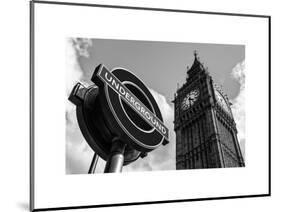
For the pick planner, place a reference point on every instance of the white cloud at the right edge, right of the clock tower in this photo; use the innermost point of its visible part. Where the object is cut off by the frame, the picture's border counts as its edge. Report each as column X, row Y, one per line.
column 238, row 107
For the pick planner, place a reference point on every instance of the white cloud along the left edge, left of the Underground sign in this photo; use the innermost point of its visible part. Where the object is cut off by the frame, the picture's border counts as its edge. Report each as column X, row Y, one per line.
column 78, row 153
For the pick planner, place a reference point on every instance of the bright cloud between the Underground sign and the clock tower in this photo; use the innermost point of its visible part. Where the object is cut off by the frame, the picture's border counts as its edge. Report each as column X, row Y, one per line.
column 163, row 158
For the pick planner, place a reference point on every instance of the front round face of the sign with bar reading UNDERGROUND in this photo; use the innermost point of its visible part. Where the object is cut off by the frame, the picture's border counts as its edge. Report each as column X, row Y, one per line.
column 130, row 109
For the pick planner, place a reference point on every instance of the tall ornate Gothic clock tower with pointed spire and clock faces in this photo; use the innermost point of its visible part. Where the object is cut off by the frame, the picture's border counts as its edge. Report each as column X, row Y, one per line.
column 206, row 134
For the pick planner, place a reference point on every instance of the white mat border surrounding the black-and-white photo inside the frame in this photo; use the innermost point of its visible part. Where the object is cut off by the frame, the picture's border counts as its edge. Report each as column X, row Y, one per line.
column 55, row 189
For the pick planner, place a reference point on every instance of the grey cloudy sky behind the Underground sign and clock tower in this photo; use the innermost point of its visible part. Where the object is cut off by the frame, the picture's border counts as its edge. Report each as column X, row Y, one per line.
column 162, row 67
